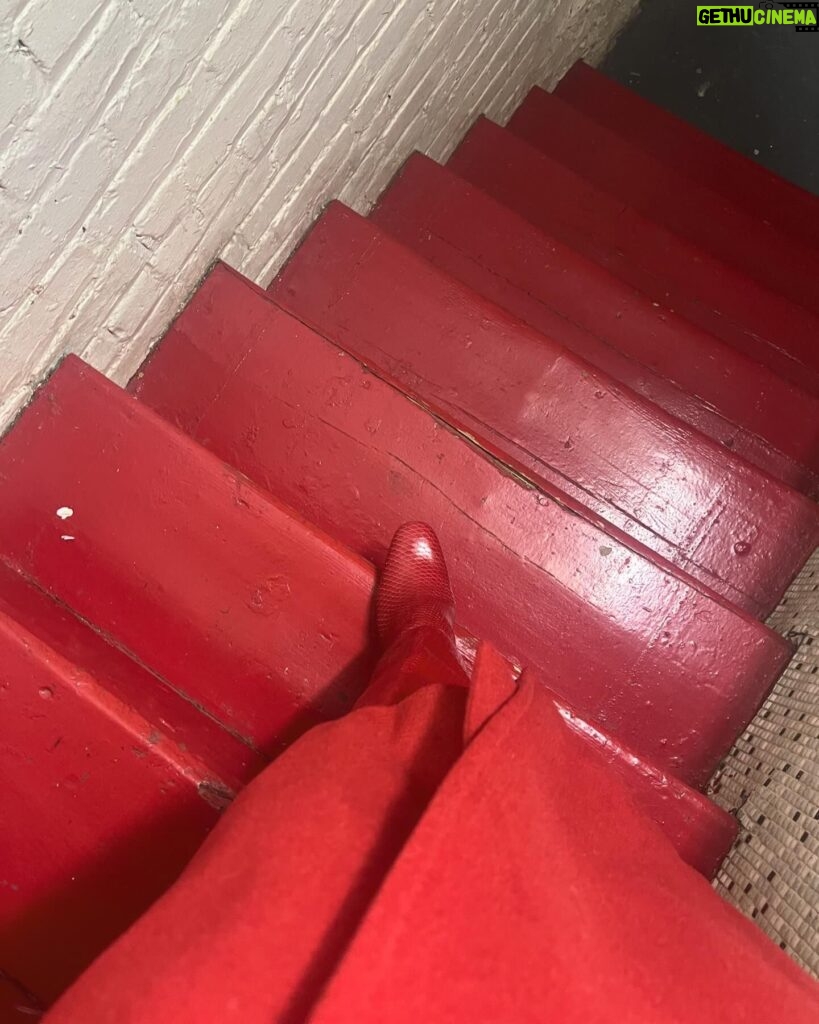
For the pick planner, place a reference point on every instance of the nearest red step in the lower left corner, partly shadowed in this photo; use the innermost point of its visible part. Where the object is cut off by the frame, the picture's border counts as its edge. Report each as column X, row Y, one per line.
column 111, row 782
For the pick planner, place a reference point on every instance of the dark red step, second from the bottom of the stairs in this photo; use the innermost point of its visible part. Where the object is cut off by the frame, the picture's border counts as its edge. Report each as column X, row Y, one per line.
column 665, row 194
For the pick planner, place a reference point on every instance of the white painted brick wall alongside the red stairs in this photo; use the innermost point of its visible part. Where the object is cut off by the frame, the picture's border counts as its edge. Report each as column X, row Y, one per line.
column 140, row 140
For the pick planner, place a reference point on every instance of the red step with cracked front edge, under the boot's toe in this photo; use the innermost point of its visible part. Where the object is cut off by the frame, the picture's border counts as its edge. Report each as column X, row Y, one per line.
column 655, row 660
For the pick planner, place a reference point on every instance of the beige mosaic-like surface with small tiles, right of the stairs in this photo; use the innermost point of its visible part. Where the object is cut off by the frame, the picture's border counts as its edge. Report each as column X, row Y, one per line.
column 771, row 782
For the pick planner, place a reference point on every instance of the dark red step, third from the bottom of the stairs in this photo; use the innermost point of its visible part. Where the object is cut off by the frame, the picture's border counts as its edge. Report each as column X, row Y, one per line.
column 670, row 270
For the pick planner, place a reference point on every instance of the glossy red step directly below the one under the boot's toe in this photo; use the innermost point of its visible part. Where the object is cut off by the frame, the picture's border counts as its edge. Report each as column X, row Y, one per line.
column 677, row 492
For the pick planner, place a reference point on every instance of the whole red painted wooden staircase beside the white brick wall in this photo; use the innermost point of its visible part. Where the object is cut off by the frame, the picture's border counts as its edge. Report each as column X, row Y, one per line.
column 558, row 353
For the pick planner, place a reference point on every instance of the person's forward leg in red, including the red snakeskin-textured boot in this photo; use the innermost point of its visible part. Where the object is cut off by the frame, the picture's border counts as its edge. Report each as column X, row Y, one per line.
column 262, row 918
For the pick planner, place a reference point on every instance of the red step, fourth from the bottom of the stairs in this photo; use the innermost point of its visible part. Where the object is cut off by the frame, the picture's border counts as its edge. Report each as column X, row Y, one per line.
column 654, row 351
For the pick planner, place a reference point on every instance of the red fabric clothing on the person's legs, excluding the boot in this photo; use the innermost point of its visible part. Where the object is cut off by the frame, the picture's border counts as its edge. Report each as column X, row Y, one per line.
column 443, row 855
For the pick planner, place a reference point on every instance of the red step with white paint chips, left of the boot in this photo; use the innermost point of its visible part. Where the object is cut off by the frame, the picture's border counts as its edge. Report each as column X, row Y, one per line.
column 235, row 601
